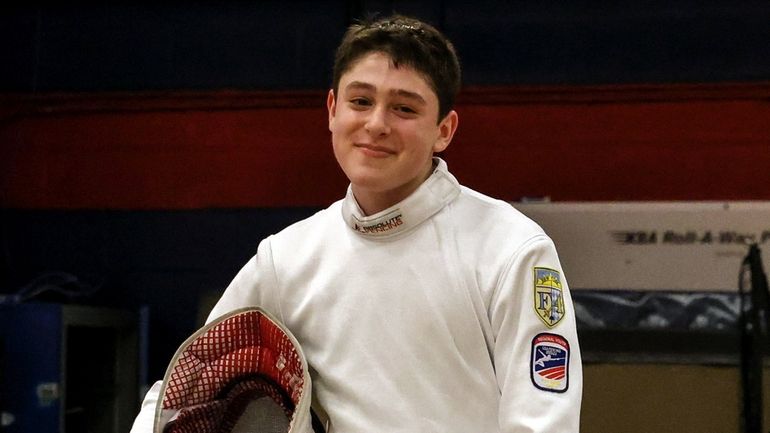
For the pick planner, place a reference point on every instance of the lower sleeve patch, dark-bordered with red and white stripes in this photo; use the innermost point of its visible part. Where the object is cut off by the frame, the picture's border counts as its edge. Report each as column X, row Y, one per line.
column 550, row 362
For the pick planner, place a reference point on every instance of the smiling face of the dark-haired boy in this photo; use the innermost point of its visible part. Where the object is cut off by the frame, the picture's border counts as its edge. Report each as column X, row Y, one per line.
column 385, row 129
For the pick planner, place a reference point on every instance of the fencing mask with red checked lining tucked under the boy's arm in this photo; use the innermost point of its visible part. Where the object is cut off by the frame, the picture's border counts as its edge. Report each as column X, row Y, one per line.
column 241, row 373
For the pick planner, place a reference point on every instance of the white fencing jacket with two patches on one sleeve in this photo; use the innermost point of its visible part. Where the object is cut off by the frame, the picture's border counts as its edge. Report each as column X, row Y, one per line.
column 447, row 313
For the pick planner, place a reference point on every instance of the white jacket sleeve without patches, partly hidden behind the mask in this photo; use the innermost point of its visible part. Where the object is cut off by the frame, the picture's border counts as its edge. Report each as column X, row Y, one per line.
column 246, row 289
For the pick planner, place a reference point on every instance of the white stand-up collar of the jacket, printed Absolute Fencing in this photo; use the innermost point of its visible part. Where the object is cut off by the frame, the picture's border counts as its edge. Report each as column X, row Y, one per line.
column 438, row 190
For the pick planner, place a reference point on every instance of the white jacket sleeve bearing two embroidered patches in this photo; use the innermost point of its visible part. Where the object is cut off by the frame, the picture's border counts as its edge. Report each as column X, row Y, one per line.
column 536, row 352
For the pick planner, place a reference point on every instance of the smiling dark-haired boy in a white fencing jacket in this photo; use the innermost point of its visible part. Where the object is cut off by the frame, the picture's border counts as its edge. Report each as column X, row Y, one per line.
column 420, row 305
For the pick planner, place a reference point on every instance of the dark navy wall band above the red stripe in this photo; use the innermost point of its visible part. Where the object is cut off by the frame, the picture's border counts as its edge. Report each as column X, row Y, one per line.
column 80, row 46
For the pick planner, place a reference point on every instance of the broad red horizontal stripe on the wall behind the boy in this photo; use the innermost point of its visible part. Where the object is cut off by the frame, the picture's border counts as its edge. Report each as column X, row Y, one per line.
column 272, row 149
